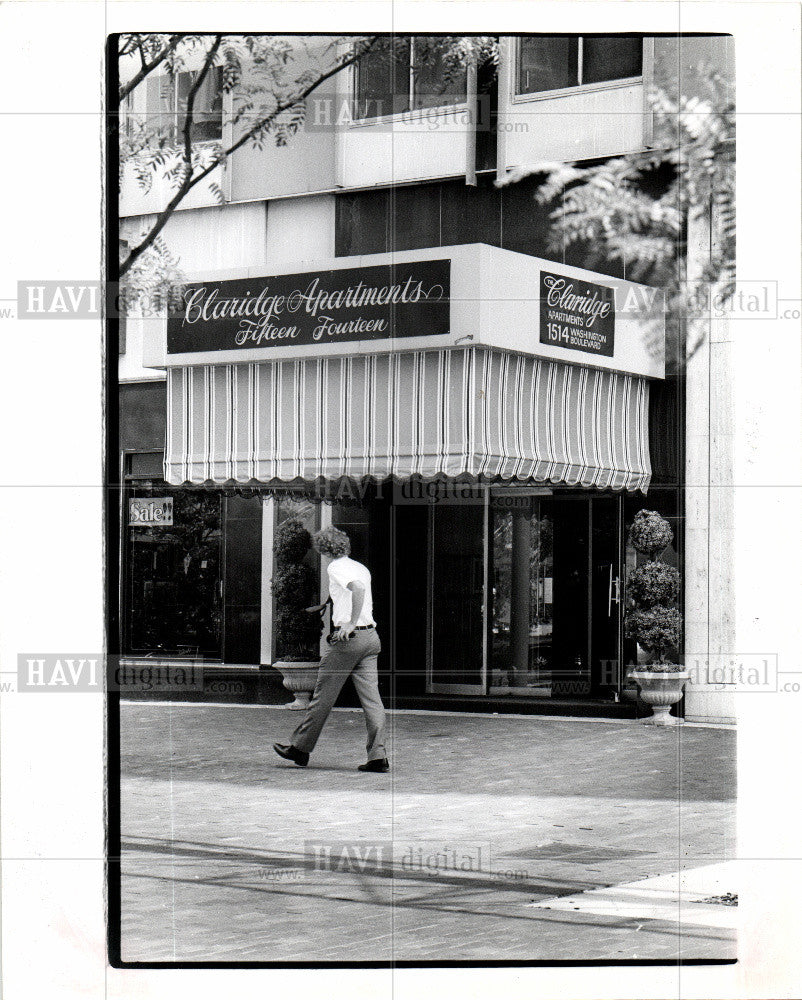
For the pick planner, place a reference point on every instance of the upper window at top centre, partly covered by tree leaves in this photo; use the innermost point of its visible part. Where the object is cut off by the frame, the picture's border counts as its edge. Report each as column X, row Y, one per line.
column 411, row 76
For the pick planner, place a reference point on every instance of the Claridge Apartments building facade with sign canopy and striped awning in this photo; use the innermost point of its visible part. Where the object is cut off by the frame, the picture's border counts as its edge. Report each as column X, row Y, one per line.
column 377, row 334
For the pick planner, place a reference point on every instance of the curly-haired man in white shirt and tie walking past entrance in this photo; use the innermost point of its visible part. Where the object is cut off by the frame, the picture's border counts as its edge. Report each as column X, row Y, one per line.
column 354, row 648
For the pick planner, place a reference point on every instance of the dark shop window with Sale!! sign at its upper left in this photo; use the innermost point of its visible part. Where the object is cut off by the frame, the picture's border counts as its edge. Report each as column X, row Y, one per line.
column 174, row 605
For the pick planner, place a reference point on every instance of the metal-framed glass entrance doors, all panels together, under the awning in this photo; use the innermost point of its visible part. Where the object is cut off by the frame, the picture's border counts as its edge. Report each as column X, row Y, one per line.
column 525, row 595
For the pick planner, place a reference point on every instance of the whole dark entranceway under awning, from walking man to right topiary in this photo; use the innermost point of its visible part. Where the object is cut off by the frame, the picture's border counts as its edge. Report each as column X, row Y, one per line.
column 516, row 591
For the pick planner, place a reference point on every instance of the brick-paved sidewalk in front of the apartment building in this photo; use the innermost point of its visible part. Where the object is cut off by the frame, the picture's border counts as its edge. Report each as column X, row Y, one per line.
column 231, row 854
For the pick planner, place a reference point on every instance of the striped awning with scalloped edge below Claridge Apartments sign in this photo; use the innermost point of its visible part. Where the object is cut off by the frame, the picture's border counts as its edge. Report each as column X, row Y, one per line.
column 471, row 412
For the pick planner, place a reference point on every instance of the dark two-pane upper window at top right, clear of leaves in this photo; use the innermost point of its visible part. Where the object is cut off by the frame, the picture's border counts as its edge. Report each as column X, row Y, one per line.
column 556, row 62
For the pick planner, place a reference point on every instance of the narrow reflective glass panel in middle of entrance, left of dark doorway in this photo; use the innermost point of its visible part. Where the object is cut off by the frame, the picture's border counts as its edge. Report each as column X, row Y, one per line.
column 521, row 594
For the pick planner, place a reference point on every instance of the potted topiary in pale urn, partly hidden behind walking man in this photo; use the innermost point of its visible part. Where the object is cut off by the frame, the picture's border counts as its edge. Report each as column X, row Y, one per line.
column 297, row 632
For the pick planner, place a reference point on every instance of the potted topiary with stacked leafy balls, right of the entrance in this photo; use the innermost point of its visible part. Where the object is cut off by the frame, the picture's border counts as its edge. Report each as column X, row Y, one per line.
column 653, row 619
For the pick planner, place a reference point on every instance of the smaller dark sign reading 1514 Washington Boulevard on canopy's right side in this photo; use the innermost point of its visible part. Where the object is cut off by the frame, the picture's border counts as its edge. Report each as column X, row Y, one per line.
column 576, row 314
